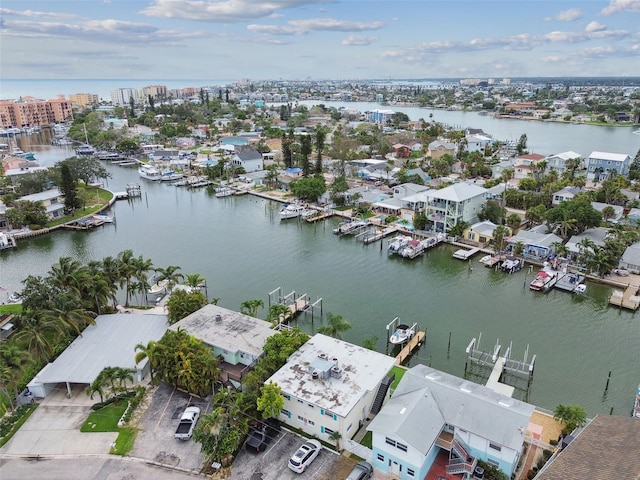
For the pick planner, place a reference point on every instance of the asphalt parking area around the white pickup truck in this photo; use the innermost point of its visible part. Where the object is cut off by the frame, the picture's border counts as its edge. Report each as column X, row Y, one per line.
column 155, row 439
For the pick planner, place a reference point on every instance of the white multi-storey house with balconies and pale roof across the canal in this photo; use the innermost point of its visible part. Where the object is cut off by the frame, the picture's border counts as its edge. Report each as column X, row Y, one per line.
column 460, row 202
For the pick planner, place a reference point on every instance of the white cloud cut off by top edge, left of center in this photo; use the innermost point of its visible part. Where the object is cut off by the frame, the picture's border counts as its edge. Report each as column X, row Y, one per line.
column 222, row 11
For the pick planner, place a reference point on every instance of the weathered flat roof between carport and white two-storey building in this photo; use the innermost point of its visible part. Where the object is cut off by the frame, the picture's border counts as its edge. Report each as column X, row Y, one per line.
column 235, row 332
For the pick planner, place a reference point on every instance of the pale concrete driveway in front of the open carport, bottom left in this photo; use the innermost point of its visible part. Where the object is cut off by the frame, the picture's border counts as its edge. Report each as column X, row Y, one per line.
column 54, row 428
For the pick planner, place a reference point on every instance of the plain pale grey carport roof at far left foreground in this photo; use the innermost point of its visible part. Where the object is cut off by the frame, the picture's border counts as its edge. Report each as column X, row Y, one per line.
column 109, row 343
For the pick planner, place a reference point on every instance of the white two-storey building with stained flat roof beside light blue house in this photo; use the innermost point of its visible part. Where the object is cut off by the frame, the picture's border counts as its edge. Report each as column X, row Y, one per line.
column 330, row 386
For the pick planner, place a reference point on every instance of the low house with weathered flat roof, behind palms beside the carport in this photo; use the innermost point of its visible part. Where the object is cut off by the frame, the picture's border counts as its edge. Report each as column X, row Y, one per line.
column 235, row 338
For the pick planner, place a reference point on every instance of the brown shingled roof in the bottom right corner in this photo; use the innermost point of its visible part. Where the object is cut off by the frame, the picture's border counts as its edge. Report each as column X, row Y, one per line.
column 603, row 450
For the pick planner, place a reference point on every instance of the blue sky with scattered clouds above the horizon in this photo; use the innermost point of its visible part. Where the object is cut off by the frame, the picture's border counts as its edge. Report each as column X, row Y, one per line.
column 317, row 39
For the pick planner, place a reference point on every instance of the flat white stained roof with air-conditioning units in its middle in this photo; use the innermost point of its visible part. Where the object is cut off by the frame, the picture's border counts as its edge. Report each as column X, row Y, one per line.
column 362, row 372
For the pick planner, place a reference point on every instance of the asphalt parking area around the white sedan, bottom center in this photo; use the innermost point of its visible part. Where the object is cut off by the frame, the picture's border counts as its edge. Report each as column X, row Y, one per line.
column 272, row 463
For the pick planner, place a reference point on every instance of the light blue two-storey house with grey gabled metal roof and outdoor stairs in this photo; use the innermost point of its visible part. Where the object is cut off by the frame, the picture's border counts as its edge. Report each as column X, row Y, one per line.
column 432, row 414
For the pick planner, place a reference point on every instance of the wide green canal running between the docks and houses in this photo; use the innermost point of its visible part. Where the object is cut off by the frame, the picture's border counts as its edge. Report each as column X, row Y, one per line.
column 245, row 251
